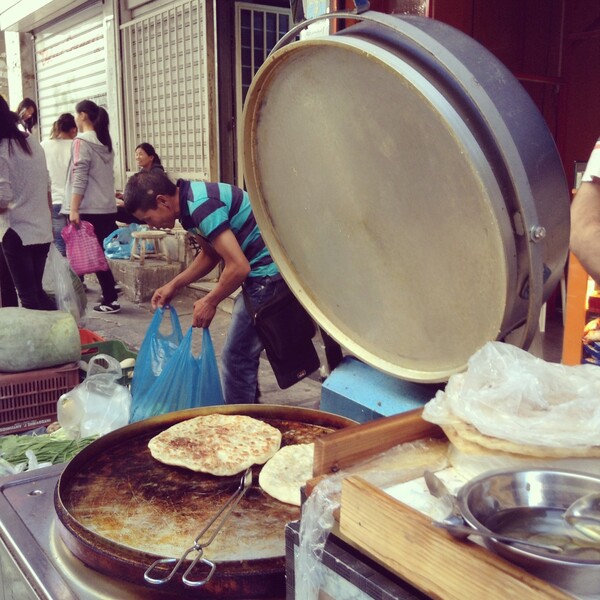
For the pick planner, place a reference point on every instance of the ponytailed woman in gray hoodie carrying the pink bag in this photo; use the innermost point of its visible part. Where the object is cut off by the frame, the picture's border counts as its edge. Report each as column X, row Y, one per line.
column 90, row 188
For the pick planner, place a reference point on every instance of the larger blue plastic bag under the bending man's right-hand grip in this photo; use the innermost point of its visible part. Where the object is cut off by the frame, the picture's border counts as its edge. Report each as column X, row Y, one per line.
column 186, row 381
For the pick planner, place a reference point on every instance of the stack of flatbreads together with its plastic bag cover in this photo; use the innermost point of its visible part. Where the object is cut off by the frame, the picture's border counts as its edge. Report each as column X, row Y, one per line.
column 510, row 408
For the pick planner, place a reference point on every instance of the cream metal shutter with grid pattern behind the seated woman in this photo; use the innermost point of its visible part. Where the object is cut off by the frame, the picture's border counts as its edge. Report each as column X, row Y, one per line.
column 169, row 96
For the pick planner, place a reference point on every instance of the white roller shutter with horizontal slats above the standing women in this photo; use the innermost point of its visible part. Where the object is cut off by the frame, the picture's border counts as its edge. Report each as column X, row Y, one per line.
column 70, row 64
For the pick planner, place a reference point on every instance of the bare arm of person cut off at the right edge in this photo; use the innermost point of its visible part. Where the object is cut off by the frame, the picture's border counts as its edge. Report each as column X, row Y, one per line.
column 585, row 227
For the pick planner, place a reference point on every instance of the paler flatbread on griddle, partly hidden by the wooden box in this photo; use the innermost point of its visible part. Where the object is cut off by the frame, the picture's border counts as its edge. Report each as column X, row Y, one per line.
column 287, row 471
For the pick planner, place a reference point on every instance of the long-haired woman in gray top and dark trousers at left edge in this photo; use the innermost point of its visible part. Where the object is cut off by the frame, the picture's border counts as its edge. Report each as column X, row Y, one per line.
column 25, row 224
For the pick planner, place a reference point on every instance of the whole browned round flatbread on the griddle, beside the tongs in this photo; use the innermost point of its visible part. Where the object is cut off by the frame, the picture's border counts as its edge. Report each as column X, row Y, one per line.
column 216, row 444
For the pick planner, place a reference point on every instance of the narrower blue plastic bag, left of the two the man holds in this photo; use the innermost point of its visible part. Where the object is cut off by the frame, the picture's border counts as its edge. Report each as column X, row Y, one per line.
column 156, row 350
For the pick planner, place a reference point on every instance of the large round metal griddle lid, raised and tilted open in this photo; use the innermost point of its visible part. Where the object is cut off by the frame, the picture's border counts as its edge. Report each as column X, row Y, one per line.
column 408, row 189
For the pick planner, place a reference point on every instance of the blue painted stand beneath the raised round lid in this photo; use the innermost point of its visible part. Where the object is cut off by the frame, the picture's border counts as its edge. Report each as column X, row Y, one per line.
column 360, row 392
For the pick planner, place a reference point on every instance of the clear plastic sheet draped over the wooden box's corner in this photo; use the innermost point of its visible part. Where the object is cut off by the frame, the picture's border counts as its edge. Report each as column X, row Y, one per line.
column 399, row 464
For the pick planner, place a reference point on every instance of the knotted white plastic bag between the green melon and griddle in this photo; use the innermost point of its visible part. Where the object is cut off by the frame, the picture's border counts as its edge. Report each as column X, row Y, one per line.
column 99, row 404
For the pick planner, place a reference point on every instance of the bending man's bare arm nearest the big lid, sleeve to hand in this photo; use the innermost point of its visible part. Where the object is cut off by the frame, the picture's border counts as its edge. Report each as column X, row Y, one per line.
column 235, row 271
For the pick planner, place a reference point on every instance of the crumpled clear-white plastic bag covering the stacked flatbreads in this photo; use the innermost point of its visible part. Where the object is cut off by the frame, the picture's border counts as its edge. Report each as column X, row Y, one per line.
column 510, row 394
